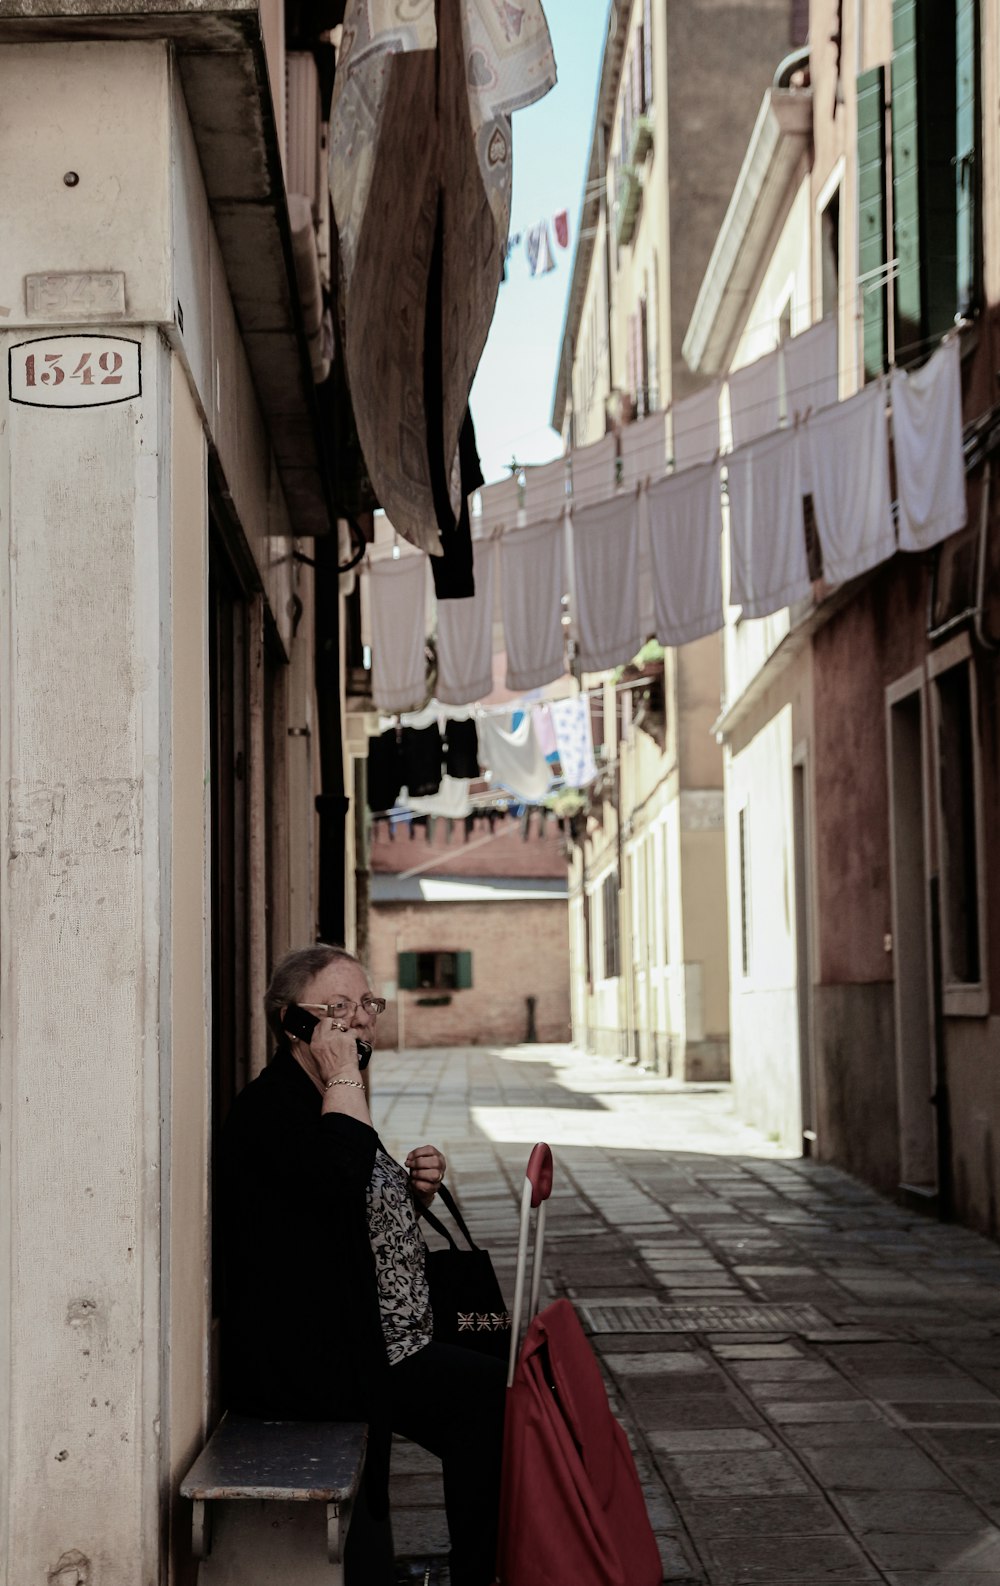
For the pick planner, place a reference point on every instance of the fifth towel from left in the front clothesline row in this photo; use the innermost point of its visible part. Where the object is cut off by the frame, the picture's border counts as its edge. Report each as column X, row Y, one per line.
column 685, row 543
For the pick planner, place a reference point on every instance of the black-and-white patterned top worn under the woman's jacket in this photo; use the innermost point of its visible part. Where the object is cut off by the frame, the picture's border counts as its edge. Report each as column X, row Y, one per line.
column 405, row 1298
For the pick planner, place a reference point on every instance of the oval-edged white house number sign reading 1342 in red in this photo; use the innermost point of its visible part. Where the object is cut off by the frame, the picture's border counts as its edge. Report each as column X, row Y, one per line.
column 75, row 372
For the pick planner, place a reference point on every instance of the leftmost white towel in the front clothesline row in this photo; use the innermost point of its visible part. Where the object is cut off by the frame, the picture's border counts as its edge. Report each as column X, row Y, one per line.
column 399, row 613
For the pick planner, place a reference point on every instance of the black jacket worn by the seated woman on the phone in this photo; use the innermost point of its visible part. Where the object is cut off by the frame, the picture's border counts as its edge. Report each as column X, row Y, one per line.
column 302, row 1336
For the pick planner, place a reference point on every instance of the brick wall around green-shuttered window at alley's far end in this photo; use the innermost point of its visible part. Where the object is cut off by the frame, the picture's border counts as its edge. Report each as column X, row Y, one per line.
column 519, row 951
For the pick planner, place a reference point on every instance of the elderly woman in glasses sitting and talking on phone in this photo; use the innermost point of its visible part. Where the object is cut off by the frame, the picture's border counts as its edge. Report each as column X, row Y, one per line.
column 326, row 1303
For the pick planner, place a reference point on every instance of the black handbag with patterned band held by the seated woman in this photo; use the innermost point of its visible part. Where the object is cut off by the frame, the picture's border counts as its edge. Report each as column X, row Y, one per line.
column 467, row 1298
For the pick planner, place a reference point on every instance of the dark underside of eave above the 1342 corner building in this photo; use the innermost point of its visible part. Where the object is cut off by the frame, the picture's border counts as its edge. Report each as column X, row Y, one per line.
column 223, row 69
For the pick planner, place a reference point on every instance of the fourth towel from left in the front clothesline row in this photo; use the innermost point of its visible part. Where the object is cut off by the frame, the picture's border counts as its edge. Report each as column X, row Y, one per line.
column 606, row 583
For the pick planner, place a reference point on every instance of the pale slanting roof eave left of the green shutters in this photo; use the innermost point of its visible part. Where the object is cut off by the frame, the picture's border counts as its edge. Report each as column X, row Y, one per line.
column 781, row 137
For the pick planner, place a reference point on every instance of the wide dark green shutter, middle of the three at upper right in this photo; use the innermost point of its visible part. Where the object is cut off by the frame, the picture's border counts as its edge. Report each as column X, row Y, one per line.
column 923, row 172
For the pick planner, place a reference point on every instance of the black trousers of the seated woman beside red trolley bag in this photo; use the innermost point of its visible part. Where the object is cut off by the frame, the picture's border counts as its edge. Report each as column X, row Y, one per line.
column 451, row 1403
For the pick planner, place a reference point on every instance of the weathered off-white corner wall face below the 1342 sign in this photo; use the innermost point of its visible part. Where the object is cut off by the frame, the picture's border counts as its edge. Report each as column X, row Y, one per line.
column 83, row 624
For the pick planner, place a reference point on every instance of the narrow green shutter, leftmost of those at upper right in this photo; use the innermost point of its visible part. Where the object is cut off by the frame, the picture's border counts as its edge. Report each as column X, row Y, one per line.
column 872, row 255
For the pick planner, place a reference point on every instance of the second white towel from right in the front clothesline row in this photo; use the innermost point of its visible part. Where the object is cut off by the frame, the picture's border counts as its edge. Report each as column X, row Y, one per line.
column 849, row 461
